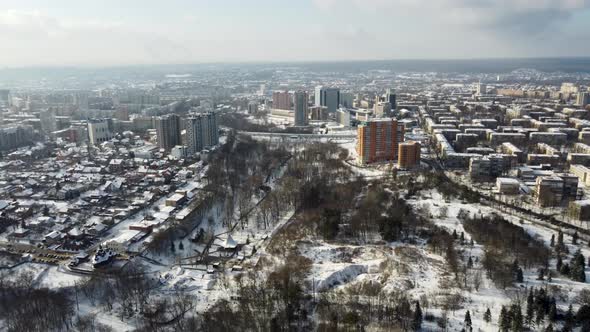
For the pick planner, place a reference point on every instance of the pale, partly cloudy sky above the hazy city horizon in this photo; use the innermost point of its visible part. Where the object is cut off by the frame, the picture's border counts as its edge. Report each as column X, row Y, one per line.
column 134, row 32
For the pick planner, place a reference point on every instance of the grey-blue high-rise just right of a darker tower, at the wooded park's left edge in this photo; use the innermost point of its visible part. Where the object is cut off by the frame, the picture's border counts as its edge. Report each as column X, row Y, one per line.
column 202, row 132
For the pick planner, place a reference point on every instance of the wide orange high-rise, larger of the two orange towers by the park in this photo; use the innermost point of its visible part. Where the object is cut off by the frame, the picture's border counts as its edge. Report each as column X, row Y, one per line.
column 378, row 140
